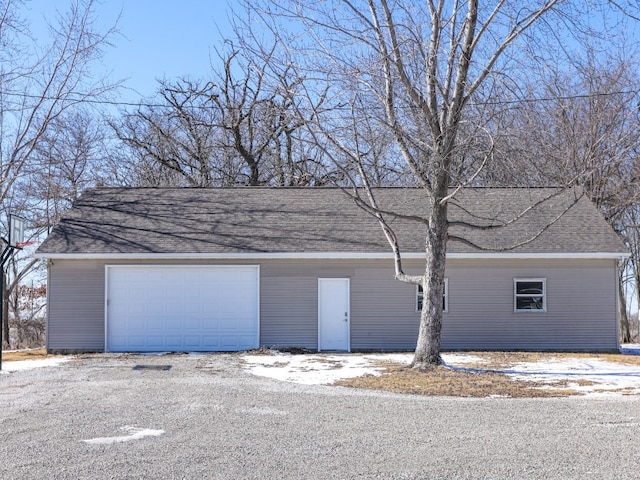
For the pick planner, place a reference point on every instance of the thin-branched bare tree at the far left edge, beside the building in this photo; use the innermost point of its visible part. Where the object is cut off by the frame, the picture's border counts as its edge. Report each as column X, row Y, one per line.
column 39, row 82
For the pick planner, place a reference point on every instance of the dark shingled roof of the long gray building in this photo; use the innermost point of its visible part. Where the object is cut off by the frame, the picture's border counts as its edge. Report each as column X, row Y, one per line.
column 320, row 220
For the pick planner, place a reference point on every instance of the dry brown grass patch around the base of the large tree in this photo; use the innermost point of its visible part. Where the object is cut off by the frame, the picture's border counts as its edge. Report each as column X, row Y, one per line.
column 485, row 381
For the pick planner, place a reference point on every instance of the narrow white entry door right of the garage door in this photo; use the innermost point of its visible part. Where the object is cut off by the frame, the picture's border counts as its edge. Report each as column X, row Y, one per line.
column 333, row 314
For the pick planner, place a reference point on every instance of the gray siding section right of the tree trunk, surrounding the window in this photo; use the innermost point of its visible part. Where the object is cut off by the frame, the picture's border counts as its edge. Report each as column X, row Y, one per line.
column 581, row 308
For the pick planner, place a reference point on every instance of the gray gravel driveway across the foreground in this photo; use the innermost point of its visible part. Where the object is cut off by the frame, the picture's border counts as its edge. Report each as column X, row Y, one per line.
column 97, row 417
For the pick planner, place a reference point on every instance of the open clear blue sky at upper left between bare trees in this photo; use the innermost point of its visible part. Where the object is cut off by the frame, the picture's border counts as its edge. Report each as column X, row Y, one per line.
column 157, row 38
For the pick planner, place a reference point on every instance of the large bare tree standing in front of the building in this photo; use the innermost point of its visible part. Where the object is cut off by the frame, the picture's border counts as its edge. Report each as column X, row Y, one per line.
column 424, row 69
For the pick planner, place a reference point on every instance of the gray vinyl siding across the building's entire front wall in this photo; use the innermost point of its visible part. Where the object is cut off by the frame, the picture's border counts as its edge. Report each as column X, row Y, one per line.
column 581, row 304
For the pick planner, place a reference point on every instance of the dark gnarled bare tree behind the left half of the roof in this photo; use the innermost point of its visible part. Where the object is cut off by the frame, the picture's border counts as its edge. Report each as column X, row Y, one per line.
column 236, row 129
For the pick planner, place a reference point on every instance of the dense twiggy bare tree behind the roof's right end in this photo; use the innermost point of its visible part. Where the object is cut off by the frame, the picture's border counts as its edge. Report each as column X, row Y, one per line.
column 587, row 129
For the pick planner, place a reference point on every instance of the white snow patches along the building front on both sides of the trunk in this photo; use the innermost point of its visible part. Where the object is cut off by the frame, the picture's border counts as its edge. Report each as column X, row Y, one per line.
column 589, row 376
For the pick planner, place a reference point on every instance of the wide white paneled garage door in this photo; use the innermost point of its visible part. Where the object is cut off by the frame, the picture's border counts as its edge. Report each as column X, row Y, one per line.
column 182, row 308
